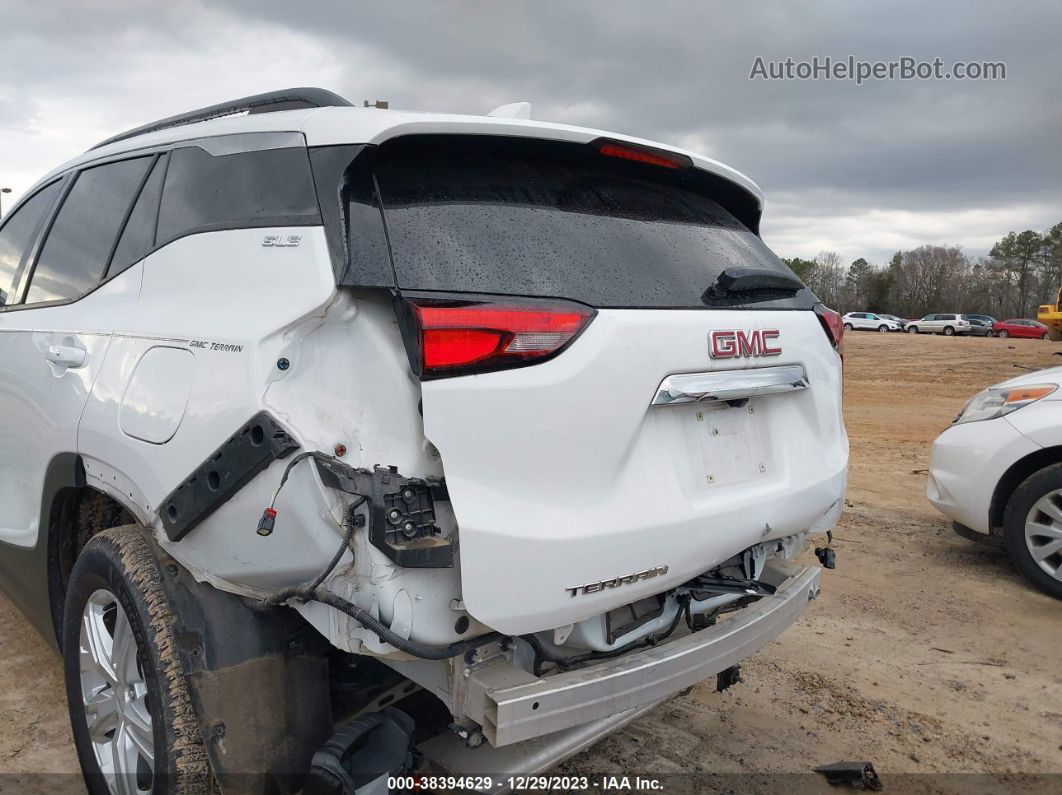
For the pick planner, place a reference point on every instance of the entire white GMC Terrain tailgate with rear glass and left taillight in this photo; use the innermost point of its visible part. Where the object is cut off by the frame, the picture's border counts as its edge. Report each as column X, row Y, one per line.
column 562, row 301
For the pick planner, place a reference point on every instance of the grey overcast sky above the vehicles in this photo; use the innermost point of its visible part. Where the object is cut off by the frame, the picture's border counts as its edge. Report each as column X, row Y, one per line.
column 863, row 170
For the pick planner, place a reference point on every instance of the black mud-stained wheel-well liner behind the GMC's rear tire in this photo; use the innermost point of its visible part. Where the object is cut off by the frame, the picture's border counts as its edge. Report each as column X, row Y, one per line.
column 259, row 682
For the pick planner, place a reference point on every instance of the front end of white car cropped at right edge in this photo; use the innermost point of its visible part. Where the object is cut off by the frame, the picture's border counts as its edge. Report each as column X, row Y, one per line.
column 998, row 472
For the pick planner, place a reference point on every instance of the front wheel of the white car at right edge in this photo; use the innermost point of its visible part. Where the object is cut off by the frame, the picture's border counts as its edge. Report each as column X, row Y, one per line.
column 1033, row 530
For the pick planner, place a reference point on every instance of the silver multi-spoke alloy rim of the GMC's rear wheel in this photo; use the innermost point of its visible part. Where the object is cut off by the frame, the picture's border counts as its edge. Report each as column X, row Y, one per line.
column 115, row 697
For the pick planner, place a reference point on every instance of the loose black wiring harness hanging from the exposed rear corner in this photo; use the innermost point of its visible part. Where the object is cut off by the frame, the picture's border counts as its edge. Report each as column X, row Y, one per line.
column 311, row 592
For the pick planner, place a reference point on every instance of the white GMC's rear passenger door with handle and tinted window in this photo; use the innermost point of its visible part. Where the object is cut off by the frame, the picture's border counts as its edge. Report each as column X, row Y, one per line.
column 55, row 339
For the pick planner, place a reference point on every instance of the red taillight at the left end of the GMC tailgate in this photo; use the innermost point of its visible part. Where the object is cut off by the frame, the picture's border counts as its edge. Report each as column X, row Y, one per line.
column 459, row 338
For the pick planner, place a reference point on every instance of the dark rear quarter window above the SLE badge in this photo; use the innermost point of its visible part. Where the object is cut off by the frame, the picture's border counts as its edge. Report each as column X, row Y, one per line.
column 265, row 188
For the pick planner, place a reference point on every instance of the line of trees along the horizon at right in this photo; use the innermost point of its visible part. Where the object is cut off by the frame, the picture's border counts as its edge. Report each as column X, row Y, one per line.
column 1021, row 272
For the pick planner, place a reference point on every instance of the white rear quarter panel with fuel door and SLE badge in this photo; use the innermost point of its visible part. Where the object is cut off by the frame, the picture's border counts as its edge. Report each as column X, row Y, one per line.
column 232, row 306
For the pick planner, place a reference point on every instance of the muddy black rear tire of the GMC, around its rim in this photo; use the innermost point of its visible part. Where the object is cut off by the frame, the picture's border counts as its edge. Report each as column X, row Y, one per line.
column 121, row 563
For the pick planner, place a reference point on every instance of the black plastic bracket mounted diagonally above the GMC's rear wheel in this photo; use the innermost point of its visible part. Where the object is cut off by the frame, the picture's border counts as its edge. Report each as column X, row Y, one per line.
column 249, row 452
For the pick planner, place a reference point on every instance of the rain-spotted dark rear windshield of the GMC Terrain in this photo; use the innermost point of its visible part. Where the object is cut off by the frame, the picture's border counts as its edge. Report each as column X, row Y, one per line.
column 559, row 220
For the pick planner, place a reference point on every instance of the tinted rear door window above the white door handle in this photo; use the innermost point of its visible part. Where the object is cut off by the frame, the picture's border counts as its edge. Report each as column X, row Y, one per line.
column 79, row 245
